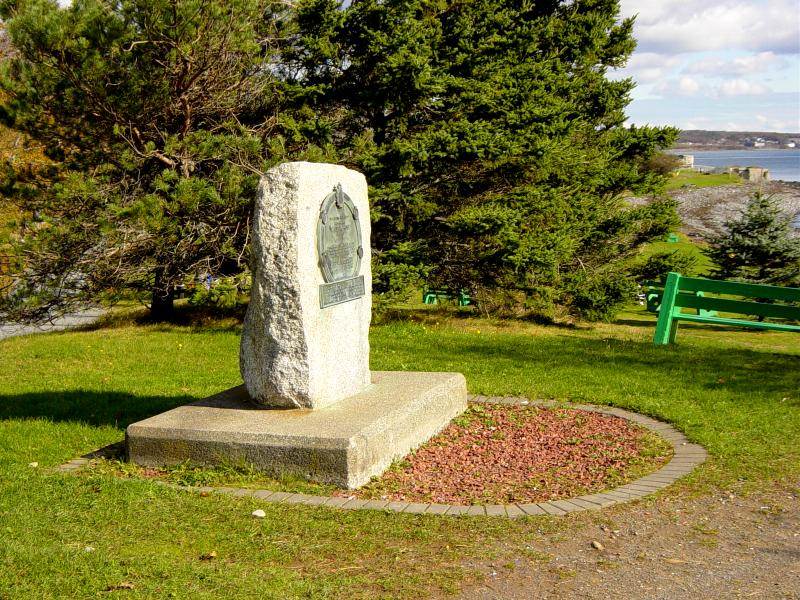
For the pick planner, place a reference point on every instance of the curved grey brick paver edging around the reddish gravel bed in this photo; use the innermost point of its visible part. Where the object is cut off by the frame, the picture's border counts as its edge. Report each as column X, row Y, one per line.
column 685, row 458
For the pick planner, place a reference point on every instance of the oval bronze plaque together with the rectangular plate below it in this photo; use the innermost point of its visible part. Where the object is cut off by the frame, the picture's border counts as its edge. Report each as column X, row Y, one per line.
column 339, row 249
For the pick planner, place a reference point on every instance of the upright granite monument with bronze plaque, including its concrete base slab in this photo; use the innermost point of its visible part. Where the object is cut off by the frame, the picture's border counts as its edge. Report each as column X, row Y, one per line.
column 309, row 405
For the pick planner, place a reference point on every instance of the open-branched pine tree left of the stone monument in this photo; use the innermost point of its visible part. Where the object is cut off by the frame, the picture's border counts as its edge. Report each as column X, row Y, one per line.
column 154, row 110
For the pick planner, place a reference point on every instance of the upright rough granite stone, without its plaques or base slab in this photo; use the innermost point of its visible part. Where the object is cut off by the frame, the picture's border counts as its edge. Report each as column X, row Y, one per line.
column 294, row 353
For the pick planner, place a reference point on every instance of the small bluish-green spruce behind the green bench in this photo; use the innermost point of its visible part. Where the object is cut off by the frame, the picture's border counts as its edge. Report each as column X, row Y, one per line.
column 758, row 247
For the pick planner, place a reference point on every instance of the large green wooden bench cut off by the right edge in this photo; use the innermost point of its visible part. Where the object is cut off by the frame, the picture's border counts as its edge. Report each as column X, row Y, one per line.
column 682, row 292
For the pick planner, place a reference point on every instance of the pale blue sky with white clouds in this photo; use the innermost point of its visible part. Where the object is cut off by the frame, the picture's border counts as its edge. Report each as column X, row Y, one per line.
column 721, row 64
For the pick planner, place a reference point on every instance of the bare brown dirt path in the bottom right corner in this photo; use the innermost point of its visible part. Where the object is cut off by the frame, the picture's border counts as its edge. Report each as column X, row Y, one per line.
column 713, row 547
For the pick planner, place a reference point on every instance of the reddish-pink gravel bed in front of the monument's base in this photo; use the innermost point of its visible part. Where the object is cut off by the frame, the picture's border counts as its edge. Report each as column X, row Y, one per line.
column 507, row 454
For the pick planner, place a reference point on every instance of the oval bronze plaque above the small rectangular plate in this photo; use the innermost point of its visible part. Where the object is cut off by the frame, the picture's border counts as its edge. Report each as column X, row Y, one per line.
column 339, row 237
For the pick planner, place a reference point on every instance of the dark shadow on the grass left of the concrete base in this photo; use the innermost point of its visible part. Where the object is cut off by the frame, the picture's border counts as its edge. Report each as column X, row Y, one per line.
column 117, row 409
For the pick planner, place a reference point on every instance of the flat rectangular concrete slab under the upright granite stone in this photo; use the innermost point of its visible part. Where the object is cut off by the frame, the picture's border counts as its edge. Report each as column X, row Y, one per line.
column 344, row 444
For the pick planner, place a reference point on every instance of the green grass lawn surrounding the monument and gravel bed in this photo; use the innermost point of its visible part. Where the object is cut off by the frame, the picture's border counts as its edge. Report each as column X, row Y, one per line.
column 65, row 394
